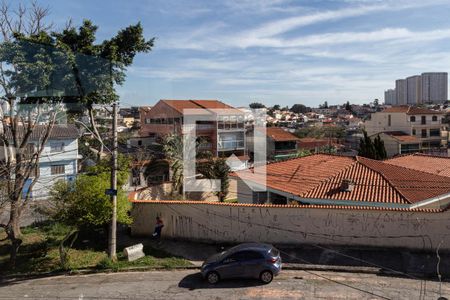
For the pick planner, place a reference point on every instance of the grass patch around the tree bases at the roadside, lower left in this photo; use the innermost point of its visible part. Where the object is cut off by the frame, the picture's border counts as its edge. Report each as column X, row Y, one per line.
column 39, row 252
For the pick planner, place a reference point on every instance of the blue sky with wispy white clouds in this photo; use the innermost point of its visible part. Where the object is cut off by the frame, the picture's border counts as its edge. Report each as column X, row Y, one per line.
column 276, row 52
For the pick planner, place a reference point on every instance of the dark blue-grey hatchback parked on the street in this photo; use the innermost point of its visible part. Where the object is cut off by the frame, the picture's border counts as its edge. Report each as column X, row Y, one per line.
column 249, row 260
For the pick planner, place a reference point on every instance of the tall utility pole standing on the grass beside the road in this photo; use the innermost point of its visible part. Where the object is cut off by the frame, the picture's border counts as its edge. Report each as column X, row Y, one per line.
column 113, row 225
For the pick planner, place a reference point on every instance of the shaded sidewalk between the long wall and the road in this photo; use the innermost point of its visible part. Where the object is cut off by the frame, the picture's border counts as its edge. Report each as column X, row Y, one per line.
column 393, row 262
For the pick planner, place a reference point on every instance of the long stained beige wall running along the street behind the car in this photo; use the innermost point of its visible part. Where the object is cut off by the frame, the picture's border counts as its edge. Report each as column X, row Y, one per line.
column 294, row 225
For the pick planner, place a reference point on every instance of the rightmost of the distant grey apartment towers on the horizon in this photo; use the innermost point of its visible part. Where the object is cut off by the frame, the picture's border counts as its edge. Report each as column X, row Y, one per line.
column 434, row 87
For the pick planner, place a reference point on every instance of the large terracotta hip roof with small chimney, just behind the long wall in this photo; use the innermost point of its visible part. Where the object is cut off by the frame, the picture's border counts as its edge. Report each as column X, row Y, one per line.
column 320, row 176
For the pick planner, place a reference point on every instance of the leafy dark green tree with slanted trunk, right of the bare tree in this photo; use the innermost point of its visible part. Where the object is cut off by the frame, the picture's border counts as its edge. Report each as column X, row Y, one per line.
column 96, row 67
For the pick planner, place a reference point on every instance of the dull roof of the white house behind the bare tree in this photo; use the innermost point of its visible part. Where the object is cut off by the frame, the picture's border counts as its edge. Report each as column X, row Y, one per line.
column 67, row 131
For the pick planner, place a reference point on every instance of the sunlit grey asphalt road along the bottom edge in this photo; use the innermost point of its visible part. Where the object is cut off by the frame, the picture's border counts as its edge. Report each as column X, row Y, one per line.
column 187, row 284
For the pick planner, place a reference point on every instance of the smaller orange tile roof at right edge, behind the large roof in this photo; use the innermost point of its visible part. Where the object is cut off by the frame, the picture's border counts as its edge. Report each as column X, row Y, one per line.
column 426, row 163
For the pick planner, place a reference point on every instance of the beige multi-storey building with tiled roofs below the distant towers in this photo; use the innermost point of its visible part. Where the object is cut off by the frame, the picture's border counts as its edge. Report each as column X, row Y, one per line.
column 406, row 129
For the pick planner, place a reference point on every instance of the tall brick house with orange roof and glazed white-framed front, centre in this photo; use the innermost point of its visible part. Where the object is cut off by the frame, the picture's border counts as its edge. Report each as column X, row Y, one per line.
column 223, row 134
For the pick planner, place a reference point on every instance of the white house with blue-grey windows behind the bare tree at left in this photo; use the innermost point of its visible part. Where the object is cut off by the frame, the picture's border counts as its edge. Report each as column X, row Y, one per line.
column 58, row 161
